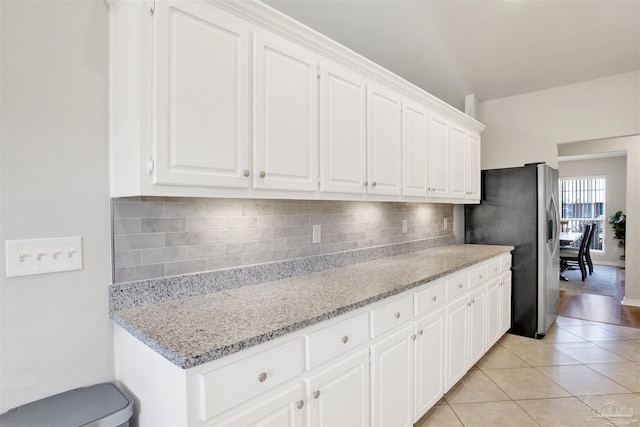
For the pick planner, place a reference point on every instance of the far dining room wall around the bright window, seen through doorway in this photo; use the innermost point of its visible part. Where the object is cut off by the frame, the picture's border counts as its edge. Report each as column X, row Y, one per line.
column 614, row 169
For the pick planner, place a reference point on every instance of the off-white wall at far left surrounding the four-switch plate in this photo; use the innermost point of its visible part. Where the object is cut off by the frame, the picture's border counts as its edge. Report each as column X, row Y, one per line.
column 55, row 333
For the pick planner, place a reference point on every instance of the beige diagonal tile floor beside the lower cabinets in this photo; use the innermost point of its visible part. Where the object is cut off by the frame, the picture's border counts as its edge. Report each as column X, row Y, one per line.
column 557, row 381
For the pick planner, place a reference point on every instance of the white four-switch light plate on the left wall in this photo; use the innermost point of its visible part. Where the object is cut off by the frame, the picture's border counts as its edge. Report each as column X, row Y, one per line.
column 39, row 256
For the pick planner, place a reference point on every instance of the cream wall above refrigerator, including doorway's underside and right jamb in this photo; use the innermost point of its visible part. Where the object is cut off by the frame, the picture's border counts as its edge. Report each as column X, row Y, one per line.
column 528, row 128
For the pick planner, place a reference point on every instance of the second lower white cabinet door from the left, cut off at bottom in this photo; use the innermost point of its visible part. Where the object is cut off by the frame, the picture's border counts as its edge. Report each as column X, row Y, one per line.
column 340, row 394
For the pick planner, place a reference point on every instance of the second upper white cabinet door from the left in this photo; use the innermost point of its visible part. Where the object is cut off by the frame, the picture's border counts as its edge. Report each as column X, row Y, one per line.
column 285, row 94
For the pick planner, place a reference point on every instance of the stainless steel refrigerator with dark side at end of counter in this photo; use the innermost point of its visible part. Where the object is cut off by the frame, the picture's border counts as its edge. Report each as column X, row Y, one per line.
column 519, row 207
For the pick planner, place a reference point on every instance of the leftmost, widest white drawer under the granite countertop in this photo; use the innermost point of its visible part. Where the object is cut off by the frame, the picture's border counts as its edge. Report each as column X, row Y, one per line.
column 223, row 388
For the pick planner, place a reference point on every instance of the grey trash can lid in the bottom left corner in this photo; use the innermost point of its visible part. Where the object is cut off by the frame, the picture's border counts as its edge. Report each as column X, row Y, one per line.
column 100, row 405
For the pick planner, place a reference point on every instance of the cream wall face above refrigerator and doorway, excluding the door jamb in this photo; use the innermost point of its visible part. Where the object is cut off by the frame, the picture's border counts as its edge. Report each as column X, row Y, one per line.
column 526, row 128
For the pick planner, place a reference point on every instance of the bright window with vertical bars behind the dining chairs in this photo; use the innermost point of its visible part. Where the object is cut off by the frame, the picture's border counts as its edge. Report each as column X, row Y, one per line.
column 583, row 203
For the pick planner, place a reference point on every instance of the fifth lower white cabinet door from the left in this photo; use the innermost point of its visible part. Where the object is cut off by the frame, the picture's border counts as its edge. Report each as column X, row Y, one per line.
column 456, row 341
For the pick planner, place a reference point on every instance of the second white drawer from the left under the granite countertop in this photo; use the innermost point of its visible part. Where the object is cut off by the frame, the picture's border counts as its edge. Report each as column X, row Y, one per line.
column 337, row 339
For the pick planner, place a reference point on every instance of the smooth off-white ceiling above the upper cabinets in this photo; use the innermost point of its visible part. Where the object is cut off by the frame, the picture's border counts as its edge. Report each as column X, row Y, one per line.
column 490, row 48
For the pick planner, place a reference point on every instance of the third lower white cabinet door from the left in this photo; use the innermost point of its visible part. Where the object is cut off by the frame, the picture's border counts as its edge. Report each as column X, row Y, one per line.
column 391, row 379
